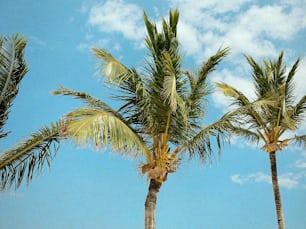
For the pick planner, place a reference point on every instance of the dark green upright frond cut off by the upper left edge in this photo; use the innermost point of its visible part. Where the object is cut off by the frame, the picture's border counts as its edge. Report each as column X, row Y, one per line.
column 12, row 70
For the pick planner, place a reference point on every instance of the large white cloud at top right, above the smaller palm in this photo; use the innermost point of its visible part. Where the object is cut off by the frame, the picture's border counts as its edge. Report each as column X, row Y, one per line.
column 243, row 25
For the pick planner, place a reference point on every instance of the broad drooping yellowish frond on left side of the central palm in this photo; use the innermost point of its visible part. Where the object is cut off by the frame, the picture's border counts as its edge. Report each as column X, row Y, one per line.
column 96, row 127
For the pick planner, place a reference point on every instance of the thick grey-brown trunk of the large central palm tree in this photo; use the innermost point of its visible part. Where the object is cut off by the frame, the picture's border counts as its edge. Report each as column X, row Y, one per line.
column 150, row 204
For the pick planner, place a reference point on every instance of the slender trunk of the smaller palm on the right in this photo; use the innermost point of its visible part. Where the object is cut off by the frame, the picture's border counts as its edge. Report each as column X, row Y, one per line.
column 277, row 197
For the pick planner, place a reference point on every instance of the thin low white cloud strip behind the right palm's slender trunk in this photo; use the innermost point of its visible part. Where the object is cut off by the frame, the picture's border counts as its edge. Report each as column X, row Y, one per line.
column 287, row 180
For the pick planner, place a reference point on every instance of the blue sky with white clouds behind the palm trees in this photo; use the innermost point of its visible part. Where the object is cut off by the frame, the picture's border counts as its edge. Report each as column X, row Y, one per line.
column 89, row 189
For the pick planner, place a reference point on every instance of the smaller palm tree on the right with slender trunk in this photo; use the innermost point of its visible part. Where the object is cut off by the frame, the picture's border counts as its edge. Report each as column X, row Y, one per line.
column 271, row 115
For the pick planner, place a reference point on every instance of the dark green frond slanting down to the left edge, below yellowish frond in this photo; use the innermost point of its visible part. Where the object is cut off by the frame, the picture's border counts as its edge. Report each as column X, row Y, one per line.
column 29, row 156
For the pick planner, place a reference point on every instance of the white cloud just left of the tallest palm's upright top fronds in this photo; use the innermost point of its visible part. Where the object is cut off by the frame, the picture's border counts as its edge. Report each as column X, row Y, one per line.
column 117, row 16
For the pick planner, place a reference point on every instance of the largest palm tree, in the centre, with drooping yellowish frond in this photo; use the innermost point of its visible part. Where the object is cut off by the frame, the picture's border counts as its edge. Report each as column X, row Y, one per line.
column 159, row 116
